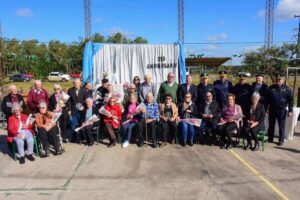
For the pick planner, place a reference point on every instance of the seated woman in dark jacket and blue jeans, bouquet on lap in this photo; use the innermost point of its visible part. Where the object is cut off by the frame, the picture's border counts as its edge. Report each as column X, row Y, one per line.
column 187, row 109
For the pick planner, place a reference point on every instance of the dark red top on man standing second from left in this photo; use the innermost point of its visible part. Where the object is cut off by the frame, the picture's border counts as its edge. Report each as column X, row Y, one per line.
column 34, row 97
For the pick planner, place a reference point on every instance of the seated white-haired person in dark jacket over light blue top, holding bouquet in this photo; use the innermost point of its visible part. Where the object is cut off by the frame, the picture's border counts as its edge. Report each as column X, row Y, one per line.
column 88, row 112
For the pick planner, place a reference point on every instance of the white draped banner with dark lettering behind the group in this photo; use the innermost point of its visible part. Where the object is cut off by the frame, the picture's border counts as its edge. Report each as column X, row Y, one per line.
column 123, row 62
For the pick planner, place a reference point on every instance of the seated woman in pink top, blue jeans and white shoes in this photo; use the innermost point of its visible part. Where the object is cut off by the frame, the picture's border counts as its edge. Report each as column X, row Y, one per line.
column 131, row 119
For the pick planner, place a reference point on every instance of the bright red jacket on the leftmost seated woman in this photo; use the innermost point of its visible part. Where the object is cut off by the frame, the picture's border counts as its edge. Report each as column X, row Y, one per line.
column 13, row 126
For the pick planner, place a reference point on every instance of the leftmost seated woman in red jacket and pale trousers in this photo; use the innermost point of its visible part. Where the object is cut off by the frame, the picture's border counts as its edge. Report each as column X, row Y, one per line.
column 18, row 131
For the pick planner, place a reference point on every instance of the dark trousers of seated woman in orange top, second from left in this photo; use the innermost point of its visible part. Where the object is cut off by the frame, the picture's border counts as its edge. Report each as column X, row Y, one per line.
column 51, row 135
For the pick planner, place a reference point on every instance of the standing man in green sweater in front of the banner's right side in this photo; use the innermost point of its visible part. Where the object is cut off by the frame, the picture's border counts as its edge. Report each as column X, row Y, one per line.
column 168, row 87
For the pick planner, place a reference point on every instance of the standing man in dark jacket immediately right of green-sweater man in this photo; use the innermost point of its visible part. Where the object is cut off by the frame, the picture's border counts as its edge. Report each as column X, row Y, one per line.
column 187, row 87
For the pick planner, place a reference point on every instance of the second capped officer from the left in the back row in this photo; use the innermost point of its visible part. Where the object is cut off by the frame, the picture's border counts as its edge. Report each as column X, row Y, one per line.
column 222, row 88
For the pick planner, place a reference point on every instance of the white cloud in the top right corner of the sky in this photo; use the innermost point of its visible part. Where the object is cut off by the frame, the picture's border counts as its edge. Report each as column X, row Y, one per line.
column 286, row 9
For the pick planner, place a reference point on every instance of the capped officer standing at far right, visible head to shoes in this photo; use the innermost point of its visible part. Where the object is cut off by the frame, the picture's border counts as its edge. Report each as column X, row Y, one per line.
column 279, row 97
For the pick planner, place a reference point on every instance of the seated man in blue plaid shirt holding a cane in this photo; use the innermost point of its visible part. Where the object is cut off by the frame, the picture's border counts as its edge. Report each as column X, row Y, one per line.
column 150, row 118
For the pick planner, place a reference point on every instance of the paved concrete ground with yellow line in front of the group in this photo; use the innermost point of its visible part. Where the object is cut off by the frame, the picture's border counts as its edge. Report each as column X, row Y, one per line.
column 172, row 172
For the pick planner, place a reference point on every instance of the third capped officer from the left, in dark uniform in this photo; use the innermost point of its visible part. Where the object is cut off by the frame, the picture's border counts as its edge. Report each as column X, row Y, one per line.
column 242, row 92
